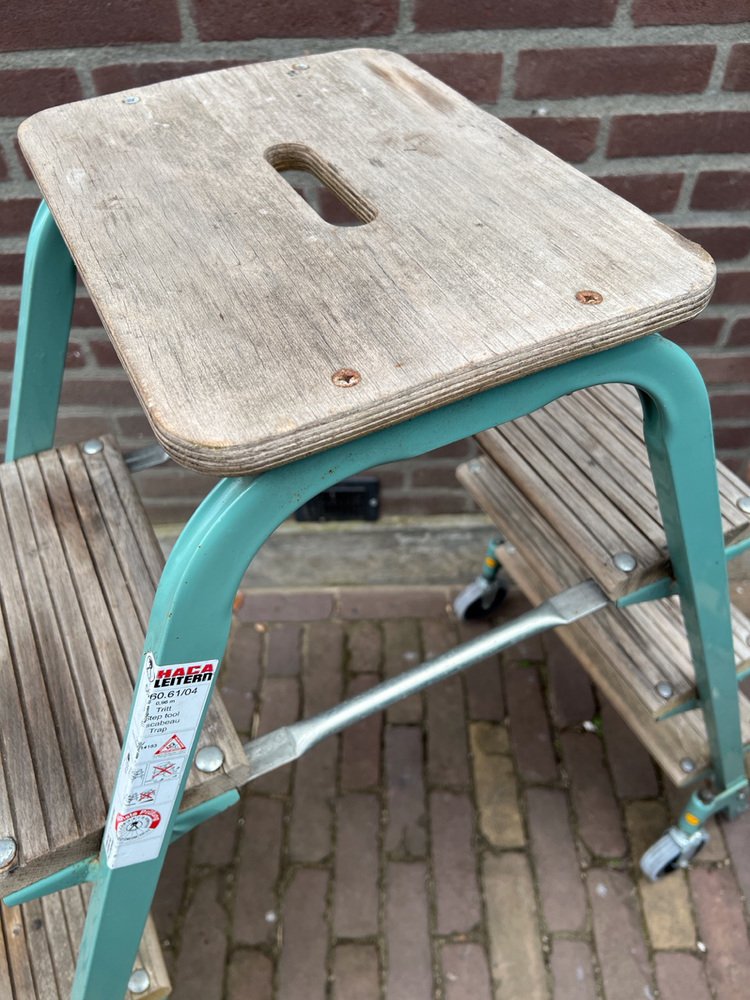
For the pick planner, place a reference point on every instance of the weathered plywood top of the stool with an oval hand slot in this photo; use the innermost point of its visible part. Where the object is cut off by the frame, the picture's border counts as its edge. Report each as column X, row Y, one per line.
column 232, row 304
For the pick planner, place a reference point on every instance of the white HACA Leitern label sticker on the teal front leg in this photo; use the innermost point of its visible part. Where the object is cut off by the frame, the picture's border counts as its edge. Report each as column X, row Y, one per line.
column 168, row 707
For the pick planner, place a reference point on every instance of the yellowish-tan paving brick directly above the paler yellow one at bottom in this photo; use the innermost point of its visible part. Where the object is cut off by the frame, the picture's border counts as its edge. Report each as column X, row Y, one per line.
column 495, row 786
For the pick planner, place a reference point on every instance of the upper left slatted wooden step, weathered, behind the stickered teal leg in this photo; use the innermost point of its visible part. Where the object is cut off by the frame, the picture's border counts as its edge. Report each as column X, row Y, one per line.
column 80, row 567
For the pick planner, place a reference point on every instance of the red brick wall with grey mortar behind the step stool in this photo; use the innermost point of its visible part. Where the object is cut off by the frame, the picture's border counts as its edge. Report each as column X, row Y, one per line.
column 648, row 96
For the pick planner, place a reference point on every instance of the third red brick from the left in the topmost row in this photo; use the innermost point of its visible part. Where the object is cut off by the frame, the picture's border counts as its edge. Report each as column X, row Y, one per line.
column 444, row 15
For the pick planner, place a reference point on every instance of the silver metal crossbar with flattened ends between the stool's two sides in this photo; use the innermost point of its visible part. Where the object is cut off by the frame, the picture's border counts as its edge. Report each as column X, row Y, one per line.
column 284, row 745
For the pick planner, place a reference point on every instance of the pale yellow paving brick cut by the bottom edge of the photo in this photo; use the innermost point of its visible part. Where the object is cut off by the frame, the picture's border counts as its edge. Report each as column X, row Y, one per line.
column 516, row 958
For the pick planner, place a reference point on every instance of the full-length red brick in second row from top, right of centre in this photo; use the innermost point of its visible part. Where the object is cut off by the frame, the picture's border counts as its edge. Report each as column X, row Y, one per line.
column 636, row 69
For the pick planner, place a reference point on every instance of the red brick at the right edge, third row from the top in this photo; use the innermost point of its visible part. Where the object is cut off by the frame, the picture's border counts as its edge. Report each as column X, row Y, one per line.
column 686, row 132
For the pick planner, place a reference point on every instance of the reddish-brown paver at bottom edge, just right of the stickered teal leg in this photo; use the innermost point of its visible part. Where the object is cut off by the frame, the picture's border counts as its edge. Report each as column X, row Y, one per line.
column 199, row 969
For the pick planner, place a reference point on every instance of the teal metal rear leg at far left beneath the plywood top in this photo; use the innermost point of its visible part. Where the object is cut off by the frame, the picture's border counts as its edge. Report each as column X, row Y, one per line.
column 47, row 297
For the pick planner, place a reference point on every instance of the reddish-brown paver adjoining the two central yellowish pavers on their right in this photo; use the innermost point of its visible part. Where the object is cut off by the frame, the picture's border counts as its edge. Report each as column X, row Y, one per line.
column 554, row 857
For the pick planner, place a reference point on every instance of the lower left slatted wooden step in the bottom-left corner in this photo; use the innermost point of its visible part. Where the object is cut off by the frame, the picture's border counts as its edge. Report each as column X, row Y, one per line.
column 39, row 945
